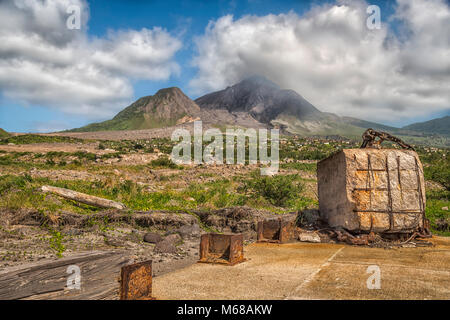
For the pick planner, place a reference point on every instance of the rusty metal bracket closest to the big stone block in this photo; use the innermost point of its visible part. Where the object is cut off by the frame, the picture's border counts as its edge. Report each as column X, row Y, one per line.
column 275, row 230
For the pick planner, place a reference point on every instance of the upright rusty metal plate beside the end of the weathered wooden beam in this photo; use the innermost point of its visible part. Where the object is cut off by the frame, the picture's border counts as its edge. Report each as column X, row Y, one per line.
column 136, row 281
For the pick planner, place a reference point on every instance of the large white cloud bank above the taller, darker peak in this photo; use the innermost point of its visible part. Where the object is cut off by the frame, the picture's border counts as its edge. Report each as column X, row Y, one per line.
column 331, row 58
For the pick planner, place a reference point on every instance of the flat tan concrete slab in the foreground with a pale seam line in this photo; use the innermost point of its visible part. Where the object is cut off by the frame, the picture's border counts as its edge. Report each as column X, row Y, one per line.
column 316, row 271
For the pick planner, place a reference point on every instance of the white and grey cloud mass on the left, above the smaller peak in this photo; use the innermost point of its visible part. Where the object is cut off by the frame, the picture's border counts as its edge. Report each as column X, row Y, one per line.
column 43, row 62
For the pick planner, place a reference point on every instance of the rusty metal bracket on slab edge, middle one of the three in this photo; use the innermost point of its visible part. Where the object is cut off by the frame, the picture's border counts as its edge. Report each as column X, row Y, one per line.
column 222, row 248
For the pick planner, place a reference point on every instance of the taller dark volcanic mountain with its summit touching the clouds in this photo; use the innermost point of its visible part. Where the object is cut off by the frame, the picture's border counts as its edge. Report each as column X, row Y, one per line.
column 266, row 102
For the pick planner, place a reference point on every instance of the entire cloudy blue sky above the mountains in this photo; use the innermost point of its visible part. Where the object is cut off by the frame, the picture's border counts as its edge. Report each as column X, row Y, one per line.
column 53, row 77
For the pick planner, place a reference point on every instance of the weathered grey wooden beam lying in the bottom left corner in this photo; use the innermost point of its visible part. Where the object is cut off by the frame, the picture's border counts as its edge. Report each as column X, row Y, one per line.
column 99, row 274
